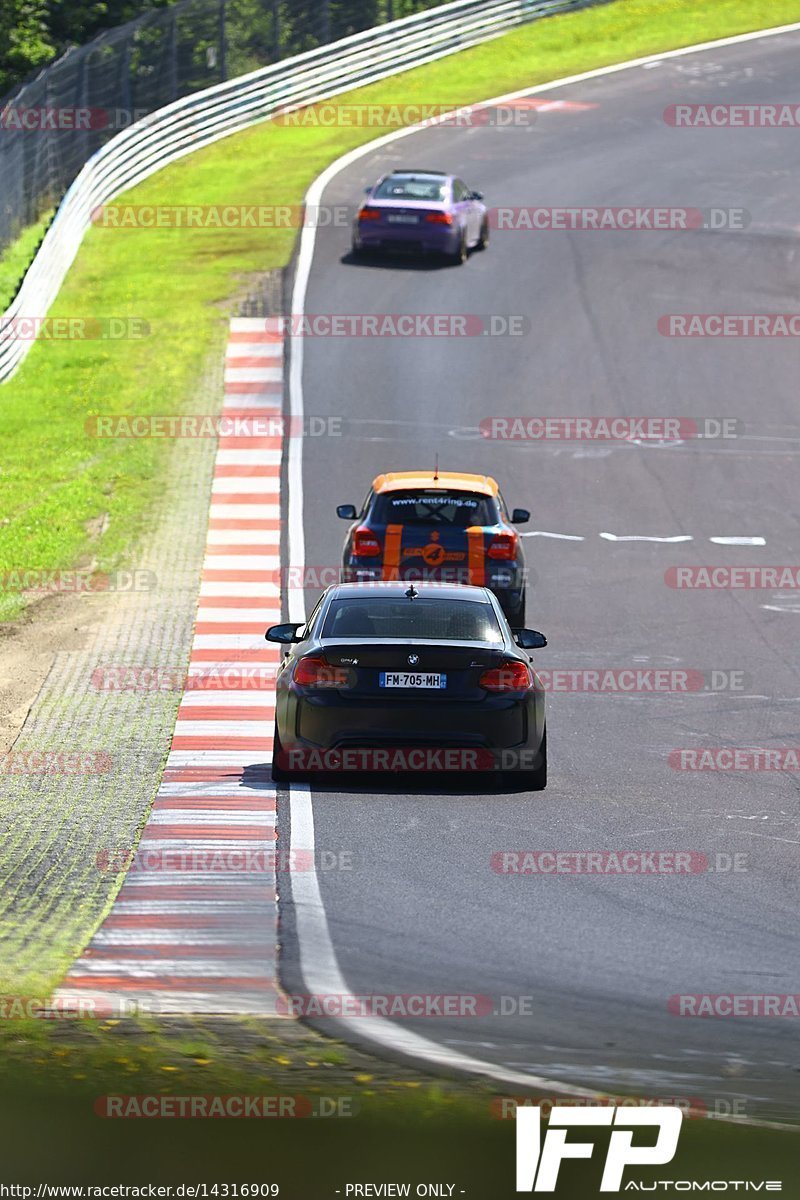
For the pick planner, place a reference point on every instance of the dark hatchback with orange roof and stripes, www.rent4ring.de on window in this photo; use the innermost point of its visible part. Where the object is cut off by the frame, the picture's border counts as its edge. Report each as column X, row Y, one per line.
column 438, row 526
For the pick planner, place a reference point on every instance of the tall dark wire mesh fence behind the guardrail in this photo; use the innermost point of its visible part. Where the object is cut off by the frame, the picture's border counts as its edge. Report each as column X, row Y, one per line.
column 56, row 122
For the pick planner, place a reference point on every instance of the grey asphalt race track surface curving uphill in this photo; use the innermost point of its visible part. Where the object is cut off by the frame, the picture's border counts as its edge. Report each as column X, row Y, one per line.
column 423, row 910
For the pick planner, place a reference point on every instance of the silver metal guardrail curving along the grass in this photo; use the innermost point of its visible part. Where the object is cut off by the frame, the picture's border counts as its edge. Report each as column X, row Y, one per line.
column 203, row 118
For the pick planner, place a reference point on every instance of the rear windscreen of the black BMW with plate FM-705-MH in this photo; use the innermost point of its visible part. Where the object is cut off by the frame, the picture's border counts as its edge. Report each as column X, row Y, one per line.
column 471, row 621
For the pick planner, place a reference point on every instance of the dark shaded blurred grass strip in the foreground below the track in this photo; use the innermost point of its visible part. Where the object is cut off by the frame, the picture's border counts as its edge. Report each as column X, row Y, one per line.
column 386, row 1120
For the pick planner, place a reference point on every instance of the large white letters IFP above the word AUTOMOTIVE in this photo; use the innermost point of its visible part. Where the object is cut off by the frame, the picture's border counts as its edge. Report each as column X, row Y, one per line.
column 538, row 1163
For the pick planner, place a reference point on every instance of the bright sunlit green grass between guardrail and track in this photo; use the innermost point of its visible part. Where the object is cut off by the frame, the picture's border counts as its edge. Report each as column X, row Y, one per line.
column 55, row 479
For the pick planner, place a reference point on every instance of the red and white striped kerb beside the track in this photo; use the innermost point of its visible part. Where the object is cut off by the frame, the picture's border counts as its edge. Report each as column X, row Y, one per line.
column 195, row 927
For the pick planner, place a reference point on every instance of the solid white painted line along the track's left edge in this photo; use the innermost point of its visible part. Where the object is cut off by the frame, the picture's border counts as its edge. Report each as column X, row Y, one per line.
column 318, row 963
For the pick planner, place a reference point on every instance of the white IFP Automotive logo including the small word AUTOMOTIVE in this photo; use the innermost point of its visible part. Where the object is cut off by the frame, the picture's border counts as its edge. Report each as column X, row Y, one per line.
column 539, row 1160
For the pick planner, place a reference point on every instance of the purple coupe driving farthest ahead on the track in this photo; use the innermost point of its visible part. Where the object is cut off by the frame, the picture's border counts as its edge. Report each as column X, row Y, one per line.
column 425, row 212
